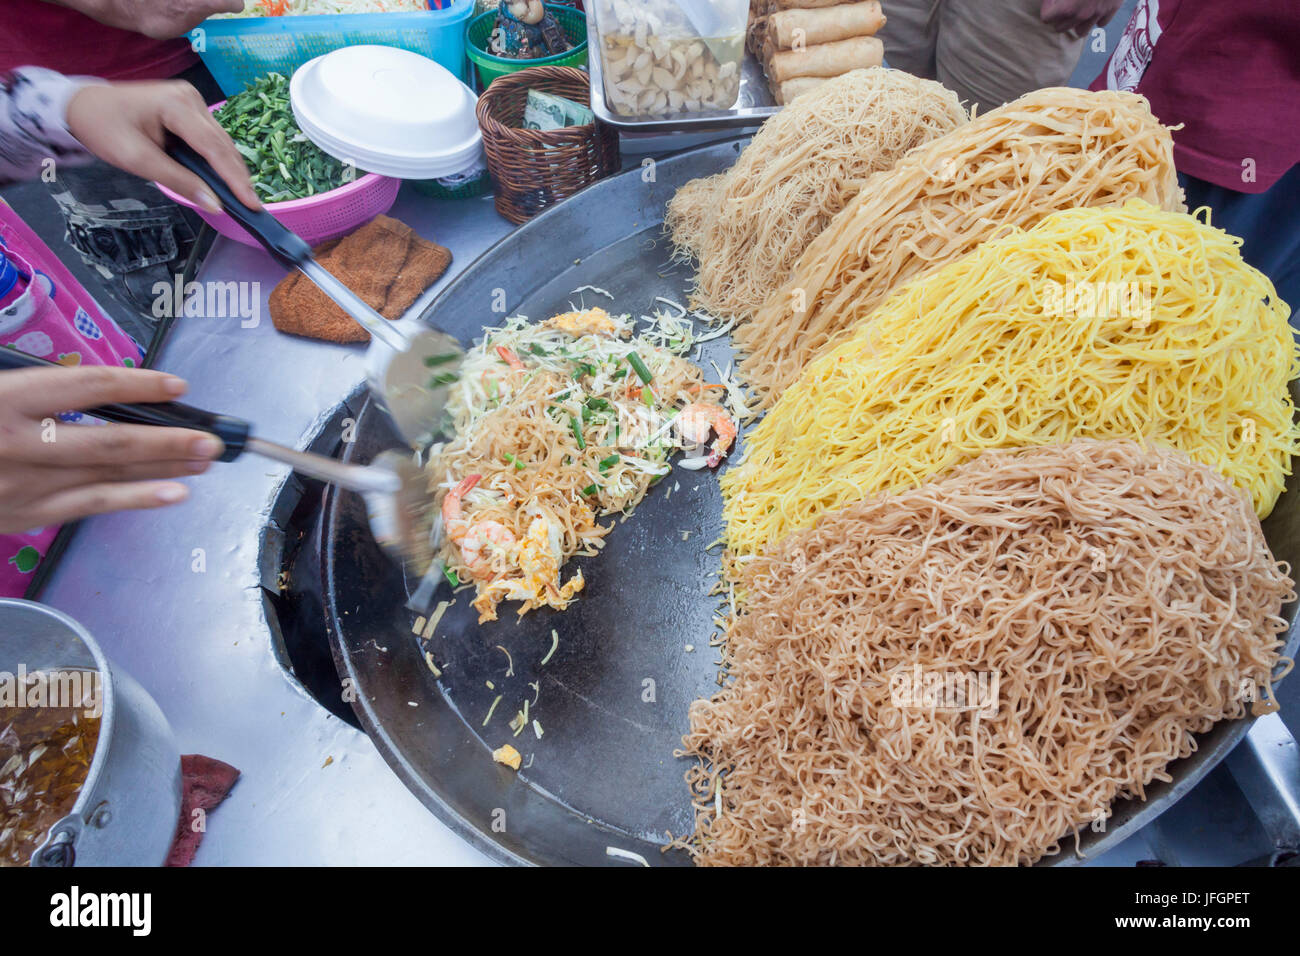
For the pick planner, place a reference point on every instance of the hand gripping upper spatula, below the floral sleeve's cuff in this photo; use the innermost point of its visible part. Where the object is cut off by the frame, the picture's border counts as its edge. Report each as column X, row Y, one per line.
column 127, row 124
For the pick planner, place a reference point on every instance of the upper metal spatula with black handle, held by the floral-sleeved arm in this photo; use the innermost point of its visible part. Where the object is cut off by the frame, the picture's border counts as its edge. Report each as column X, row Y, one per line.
column 406, row 358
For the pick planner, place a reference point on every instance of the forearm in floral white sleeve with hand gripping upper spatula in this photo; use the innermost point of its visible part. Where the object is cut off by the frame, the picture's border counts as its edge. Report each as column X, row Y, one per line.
column 49, row 118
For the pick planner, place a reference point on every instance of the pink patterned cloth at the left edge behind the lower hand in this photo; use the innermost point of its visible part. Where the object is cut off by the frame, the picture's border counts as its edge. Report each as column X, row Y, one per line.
column 53, row 317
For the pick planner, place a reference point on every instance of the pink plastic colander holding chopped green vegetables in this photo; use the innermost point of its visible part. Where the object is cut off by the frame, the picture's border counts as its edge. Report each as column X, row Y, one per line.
column 317, row 219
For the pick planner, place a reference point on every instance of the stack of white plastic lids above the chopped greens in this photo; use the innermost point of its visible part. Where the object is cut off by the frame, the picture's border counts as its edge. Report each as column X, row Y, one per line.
column 388, row 111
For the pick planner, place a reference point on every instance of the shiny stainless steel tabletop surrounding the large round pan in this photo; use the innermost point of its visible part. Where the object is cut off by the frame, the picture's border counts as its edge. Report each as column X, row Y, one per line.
column 175, row 598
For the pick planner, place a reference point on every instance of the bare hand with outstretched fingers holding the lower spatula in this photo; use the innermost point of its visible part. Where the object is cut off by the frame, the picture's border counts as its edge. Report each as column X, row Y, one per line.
column 54, row 473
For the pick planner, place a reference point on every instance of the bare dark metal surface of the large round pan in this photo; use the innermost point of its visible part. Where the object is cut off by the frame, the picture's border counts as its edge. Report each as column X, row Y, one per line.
column 613, row 700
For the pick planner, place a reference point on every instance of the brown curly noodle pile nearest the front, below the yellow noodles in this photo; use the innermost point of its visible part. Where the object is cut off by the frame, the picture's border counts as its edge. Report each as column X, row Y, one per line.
column 1124, row 598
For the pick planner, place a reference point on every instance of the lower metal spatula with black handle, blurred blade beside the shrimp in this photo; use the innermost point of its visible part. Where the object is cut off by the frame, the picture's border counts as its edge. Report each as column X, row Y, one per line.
column 396, row 490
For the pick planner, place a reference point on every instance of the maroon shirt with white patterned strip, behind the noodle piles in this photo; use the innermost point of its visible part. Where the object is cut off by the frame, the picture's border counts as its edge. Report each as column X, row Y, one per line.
column 1230, row 73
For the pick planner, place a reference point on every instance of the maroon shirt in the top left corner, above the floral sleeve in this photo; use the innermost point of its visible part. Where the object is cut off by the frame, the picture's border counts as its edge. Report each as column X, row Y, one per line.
column 34, row 33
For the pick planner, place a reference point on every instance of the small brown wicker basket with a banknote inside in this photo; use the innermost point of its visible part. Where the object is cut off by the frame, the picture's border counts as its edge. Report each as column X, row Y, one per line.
column 532, row 170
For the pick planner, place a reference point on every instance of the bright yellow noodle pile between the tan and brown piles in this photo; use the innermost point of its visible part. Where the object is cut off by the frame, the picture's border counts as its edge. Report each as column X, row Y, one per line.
column 1095, row 323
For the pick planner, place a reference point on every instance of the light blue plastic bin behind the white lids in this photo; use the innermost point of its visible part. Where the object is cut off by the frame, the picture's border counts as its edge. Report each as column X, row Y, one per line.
column 239, row 51
